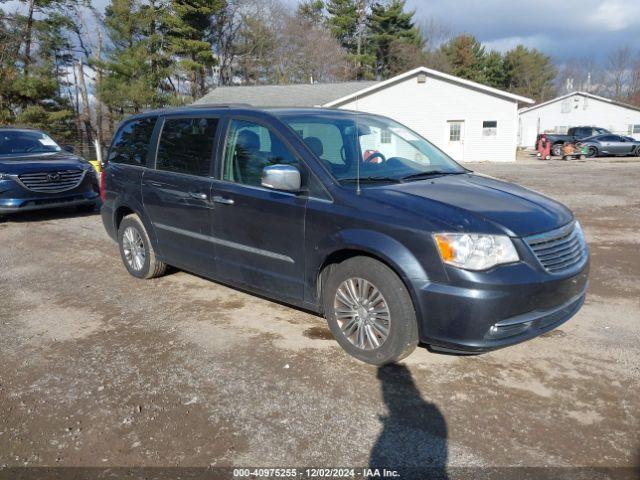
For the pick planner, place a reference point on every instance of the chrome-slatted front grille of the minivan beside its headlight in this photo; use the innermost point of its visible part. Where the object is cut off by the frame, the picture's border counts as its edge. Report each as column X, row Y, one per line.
column 559, row 250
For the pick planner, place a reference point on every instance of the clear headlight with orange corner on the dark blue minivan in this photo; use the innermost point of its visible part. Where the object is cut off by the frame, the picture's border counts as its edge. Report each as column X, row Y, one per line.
column 475, row 251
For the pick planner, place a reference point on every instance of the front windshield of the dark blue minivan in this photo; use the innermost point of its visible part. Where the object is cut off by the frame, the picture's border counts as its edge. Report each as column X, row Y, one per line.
column 371, row 148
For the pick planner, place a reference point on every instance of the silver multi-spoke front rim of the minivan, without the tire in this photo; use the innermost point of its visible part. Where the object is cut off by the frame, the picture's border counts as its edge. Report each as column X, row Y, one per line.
column 362, row 313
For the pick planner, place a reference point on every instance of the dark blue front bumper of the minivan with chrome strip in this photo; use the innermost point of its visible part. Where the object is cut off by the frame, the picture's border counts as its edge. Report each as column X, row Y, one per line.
column 513, row 304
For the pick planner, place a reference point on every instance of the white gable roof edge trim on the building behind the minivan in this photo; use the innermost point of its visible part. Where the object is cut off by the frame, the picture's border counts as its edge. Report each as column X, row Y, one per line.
column 432, row 73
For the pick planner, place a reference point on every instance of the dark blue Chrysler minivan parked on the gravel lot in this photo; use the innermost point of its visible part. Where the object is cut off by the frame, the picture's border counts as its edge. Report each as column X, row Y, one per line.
column 347, row 214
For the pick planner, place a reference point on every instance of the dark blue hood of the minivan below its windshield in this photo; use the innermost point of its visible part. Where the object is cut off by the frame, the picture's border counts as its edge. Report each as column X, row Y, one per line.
column 452, row 199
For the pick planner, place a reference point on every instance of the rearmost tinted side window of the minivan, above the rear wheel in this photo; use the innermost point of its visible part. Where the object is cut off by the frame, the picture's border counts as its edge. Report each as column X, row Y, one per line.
column 131, row 144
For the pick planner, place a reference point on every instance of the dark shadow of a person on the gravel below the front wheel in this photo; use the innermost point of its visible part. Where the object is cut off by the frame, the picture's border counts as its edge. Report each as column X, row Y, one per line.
column 413, row 440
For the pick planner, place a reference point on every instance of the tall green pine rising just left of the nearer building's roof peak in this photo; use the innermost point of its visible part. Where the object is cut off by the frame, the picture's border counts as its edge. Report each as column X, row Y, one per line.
column 389, row 24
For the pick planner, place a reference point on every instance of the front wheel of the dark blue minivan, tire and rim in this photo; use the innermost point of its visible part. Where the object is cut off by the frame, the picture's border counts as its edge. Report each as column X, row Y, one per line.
column 369, row 311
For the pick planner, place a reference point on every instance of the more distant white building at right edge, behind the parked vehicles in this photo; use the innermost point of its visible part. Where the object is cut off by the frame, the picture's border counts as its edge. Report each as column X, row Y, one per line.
column 575, row 110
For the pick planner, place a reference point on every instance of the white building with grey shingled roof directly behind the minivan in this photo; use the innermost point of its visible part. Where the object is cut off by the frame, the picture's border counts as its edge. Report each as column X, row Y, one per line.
column 469, row 121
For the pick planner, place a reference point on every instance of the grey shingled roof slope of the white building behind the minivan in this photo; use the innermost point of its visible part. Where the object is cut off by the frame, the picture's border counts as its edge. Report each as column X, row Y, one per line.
column 300, row 95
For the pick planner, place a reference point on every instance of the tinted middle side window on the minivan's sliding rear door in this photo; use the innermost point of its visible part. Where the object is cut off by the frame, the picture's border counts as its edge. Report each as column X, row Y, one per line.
column 186, row 145
